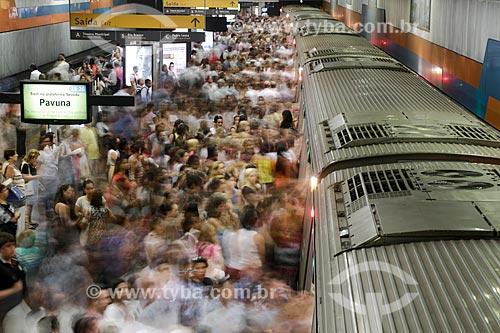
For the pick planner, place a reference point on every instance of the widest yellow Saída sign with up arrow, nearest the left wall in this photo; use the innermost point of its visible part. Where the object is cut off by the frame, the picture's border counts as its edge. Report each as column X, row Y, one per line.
column 133, row 21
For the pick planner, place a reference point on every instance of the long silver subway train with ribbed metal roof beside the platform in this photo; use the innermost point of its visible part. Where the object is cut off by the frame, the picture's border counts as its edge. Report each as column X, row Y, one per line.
column 402, row 231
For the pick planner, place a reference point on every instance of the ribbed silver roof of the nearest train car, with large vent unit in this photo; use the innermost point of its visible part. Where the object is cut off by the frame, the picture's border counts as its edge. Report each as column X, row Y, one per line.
column 437, row 268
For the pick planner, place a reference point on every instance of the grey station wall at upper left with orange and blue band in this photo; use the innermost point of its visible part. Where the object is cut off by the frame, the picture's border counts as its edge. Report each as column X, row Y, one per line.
column 35, row 31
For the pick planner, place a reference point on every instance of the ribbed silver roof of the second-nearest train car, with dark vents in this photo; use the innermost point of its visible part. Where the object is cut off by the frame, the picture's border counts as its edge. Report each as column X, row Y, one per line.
column 369, row 115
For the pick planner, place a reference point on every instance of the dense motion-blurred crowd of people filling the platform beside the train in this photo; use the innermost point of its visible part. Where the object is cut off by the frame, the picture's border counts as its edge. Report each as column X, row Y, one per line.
column 181, row 214
